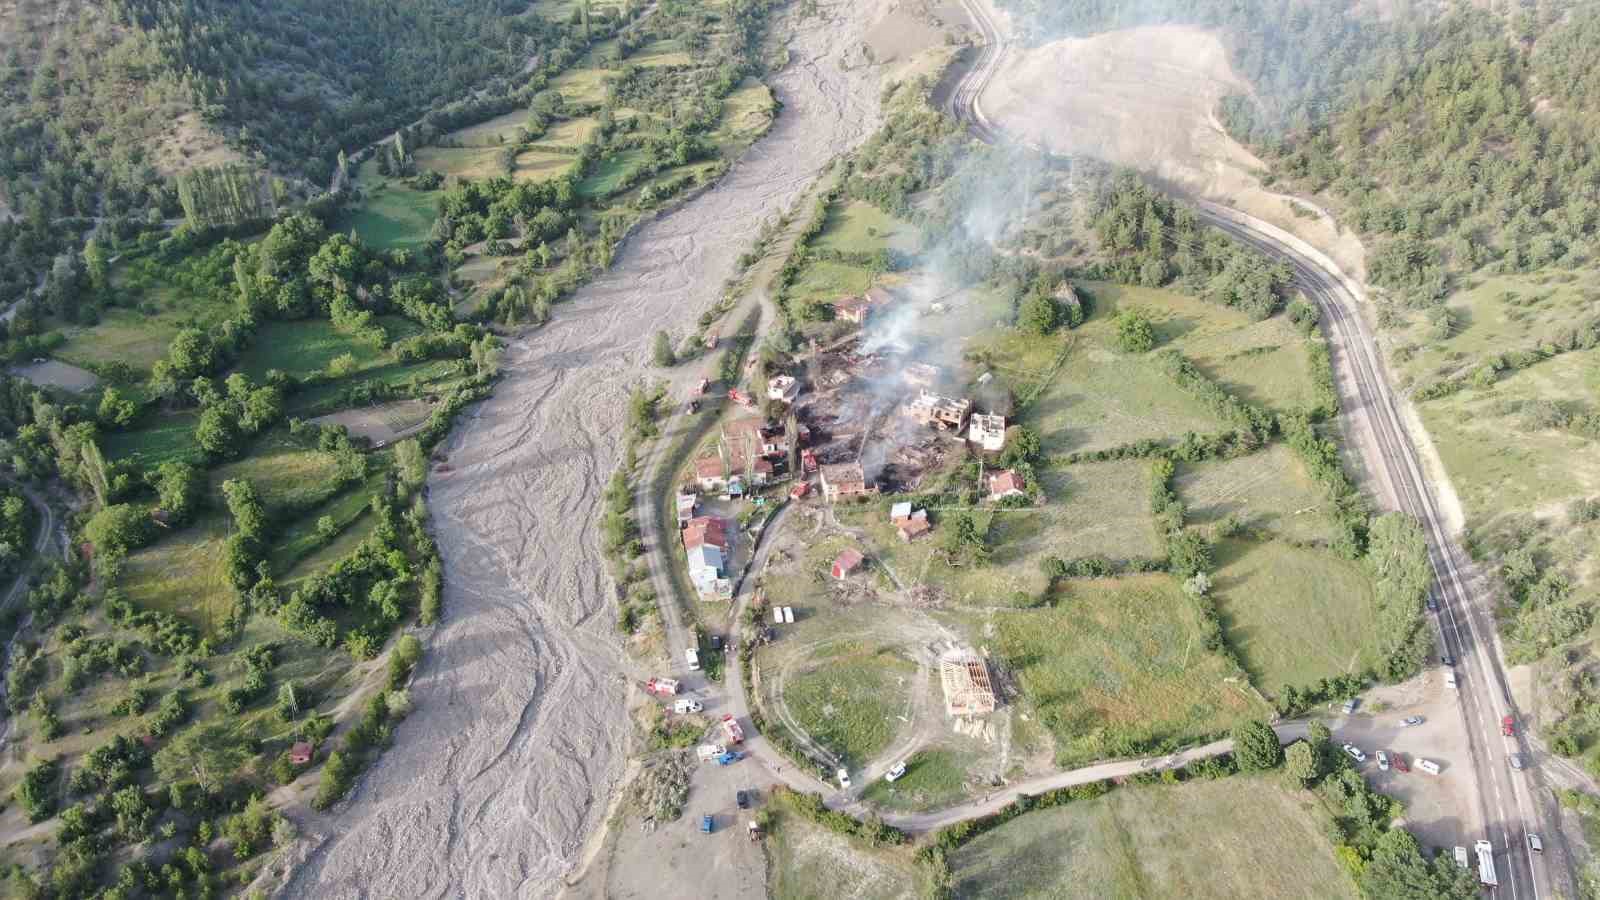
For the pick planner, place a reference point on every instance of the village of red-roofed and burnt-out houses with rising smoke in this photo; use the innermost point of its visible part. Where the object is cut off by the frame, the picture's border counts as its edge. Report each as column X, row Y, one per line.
column 852, row 422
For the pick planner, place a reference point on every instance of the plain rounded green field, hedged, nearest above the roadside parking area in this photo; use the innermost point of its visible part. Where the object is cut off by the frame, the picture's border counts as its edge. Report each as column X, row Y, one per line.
column 1294, row 614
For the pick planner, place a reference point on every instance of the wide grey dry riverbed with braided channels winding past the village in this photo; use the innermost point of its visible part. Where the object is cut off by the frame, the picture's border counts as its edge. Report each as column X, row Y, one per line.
column 519, row 731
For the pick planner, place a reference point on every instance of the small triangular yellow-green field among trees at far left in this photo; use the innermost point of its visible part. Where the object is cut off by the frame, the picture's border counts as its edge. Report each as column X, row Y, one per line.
column 185, row 574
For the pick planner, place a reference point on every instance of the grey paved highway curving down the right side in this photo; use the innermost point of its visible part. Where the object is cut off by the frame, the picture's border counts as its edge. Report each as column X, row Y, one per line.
column 1508, row 810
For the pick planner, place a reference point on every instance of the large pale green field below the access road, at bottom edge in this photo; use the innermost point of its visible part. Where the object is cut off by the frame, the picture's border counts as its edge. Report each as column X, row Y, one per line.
column 1228, row 840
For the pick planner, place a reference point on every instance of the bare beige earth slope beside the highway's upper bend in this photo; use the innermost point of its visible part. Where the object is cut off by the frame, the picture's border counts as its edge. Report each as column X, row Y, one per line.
column 1148, row 98
